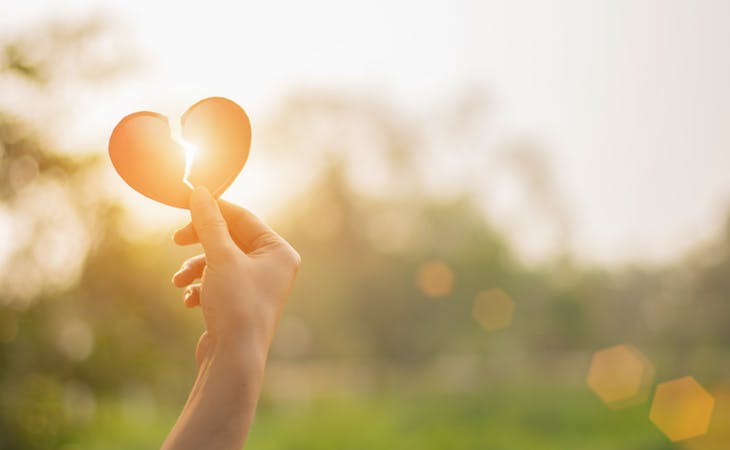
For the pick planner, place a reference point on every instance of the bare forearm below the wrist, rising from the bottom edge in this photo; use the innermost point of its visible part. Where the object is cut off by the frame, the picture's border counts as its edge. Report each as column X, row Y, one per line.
column 222, row 403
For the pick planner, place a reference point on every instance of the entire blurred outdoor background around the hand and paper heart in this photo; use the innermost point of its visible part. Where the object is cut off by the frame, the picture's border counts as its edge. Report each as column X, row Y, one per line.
column 513, row 217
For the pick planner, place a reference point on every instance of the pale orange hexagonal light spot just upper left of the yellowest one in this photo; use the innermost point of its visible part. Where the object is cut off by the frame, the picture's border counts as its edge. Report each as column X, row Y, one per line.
column 621, row 376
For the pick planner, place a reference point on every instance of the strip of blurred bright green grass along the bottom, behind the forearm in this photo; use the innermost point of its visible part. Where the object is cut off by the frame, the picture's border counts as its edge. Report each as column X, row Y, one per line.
column 512, row 418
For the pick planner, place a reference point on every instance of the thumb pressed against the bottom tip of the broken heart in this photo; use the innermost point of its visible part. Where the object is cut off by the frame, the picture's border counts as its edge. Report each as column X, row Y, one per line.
column 209, row 224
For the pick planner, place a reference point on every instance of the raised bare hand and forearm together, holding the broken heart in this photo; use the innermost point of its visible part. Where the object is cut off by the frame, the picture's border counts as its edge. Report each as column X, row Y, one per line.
column 246, row 273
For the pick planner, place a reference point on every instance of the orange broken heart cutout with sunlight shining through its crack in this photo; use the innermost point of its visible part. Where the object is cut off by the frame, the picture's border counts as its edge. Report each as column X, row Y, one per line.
column 216, row 136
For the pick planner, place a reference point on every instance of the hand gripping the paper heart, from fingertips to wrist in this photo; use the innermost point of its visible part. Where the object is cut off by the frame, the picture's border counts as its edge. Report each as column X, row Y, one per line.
column 246, row 274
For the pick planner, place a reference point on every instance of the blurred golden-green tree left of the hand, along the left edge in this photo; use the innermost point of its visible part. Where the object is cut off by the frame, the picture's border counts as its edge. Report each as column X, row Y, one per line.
column 81, row 318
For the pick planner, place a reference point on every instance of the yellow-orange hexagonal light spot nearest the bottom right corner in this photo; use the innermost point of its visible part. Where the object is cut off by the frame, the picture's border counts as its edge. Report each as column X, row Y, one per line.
column 682, row 409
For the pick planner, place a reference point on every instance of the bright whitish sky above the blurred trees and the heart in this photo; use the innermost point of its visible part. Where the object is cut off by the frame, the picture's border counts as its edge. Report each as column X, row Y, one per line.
column 630, row 97
